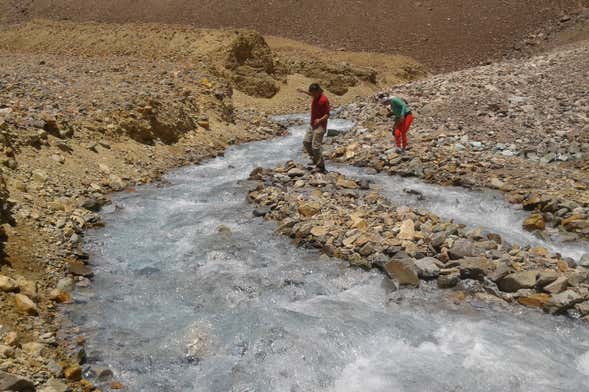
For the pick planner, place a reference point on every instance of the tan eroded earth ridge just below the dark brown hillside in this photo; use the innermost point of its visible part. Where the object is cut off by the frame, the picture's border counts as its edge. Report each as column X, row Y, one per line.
column 241, row 56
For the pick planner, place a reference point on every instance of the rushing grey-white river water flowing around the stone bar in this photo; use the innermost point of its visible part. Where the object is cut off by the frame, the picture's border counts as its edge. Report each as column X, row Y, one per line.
column 192, row 293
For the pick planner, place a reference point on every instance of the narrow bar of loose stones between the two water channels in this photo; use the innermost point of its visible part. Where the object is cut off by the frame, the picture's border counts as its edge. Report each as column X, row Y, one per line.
column 345, row 218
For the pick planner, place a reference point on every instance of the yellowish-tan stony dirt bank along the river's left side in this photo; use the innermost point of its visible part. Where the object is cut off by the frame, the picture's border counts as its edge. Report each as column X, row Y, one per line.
column 90, row 109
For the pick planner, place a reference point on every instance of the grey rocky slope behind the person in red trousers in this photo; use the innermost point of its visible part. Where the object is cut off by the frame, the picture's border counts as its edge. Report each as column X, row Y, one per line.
column 520, row 127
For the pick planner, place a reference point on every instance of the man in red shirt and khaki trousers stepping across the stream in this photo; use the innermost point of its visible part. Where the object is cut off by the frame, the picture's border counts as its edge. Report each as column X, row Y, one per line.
column 319, row 115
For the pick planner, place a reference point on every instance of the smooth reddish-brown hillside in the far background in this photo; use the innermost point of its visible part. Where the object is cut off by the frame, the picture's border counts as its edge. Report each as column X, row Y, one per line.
column 443, row 34
